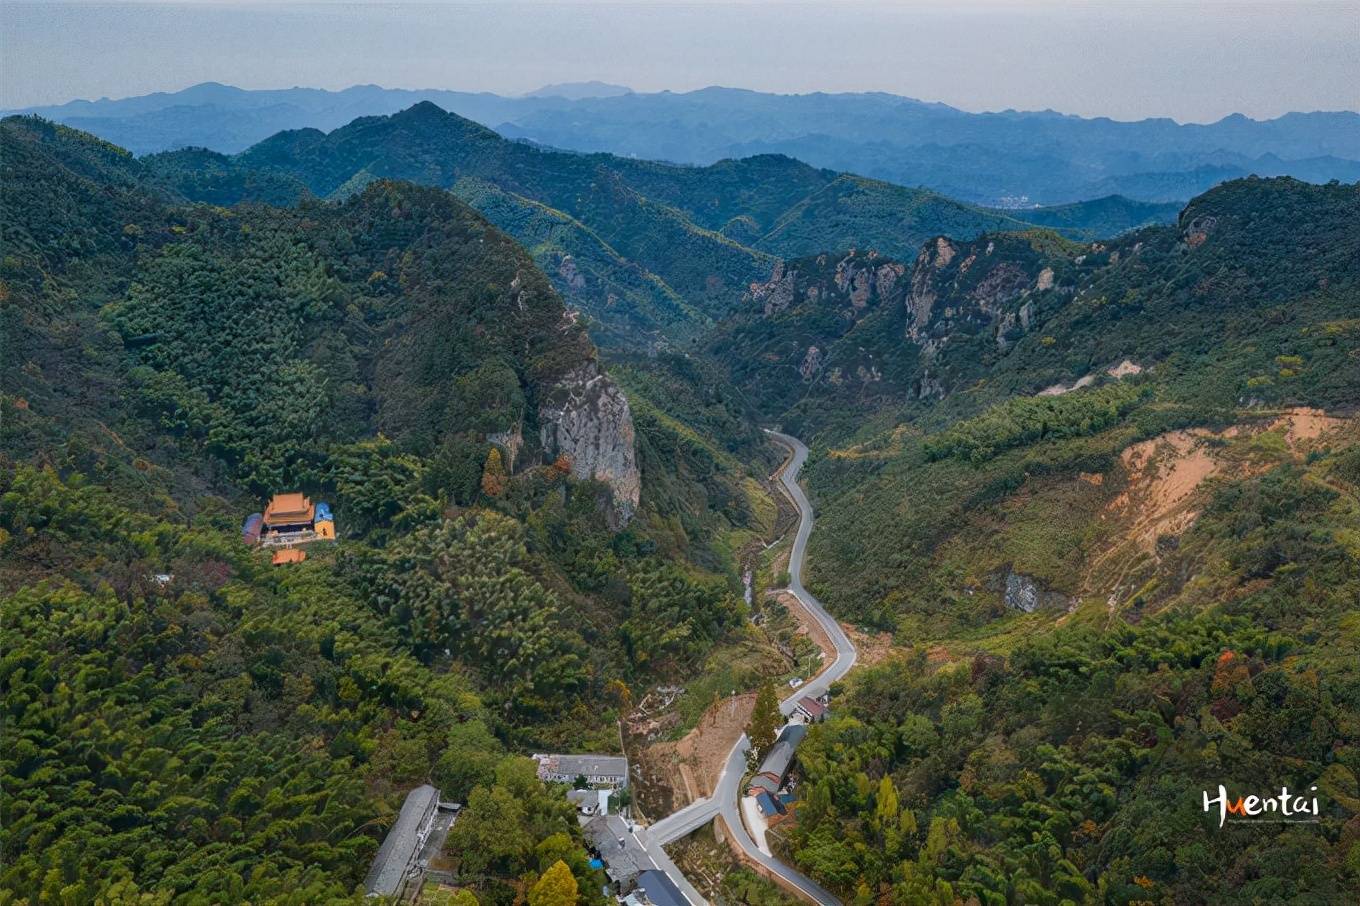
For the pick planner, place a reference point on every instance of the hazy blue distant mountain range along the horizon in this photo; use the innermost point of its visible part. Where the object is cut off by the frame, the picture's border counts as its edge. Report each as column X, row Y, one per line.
column 1002, row 158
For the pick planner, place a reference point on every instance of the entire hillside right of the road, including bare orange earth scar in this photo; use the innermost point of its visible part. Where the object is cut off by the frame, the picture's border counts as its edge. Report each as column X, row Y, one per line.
column 1116, row 546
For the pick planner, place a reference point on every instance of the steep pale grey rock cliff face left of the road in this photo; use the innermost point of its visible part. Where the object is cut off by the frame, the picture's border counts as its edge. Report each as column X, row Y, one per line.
column 587, row 420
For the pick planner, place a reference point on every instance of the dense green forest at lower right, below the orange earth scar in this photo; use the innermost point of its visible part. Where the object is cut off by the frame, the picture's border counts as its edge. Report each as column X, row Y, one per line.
column 1068, row 764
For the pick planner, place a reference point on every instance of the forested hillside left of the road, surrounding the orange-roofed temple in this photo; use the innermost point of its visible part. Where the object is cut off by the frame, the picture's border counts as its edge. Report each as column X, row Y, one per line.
column 520, row 538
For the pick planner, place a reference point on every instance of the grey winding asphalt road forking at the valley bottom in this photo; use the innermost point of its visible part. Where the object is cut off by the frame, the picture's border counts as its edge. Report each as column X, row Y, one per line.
column 727, row 796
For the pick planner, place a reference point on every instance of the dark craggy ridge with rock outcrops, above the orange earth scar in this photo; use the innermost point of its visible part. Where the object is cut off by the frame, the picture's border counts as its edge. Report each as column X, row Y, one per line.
column 1252, row 271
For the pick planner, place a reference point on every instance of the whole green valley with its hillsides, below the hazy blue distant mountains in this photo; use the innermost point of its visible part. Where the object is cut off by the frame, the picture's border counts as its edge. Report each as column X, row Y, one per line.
column 1086, row 481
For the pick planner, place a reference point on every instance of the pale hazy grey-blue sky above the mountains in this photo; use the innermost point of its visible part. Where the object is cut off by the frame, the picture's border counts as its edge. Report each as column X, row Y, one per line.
column 1193, row 62
